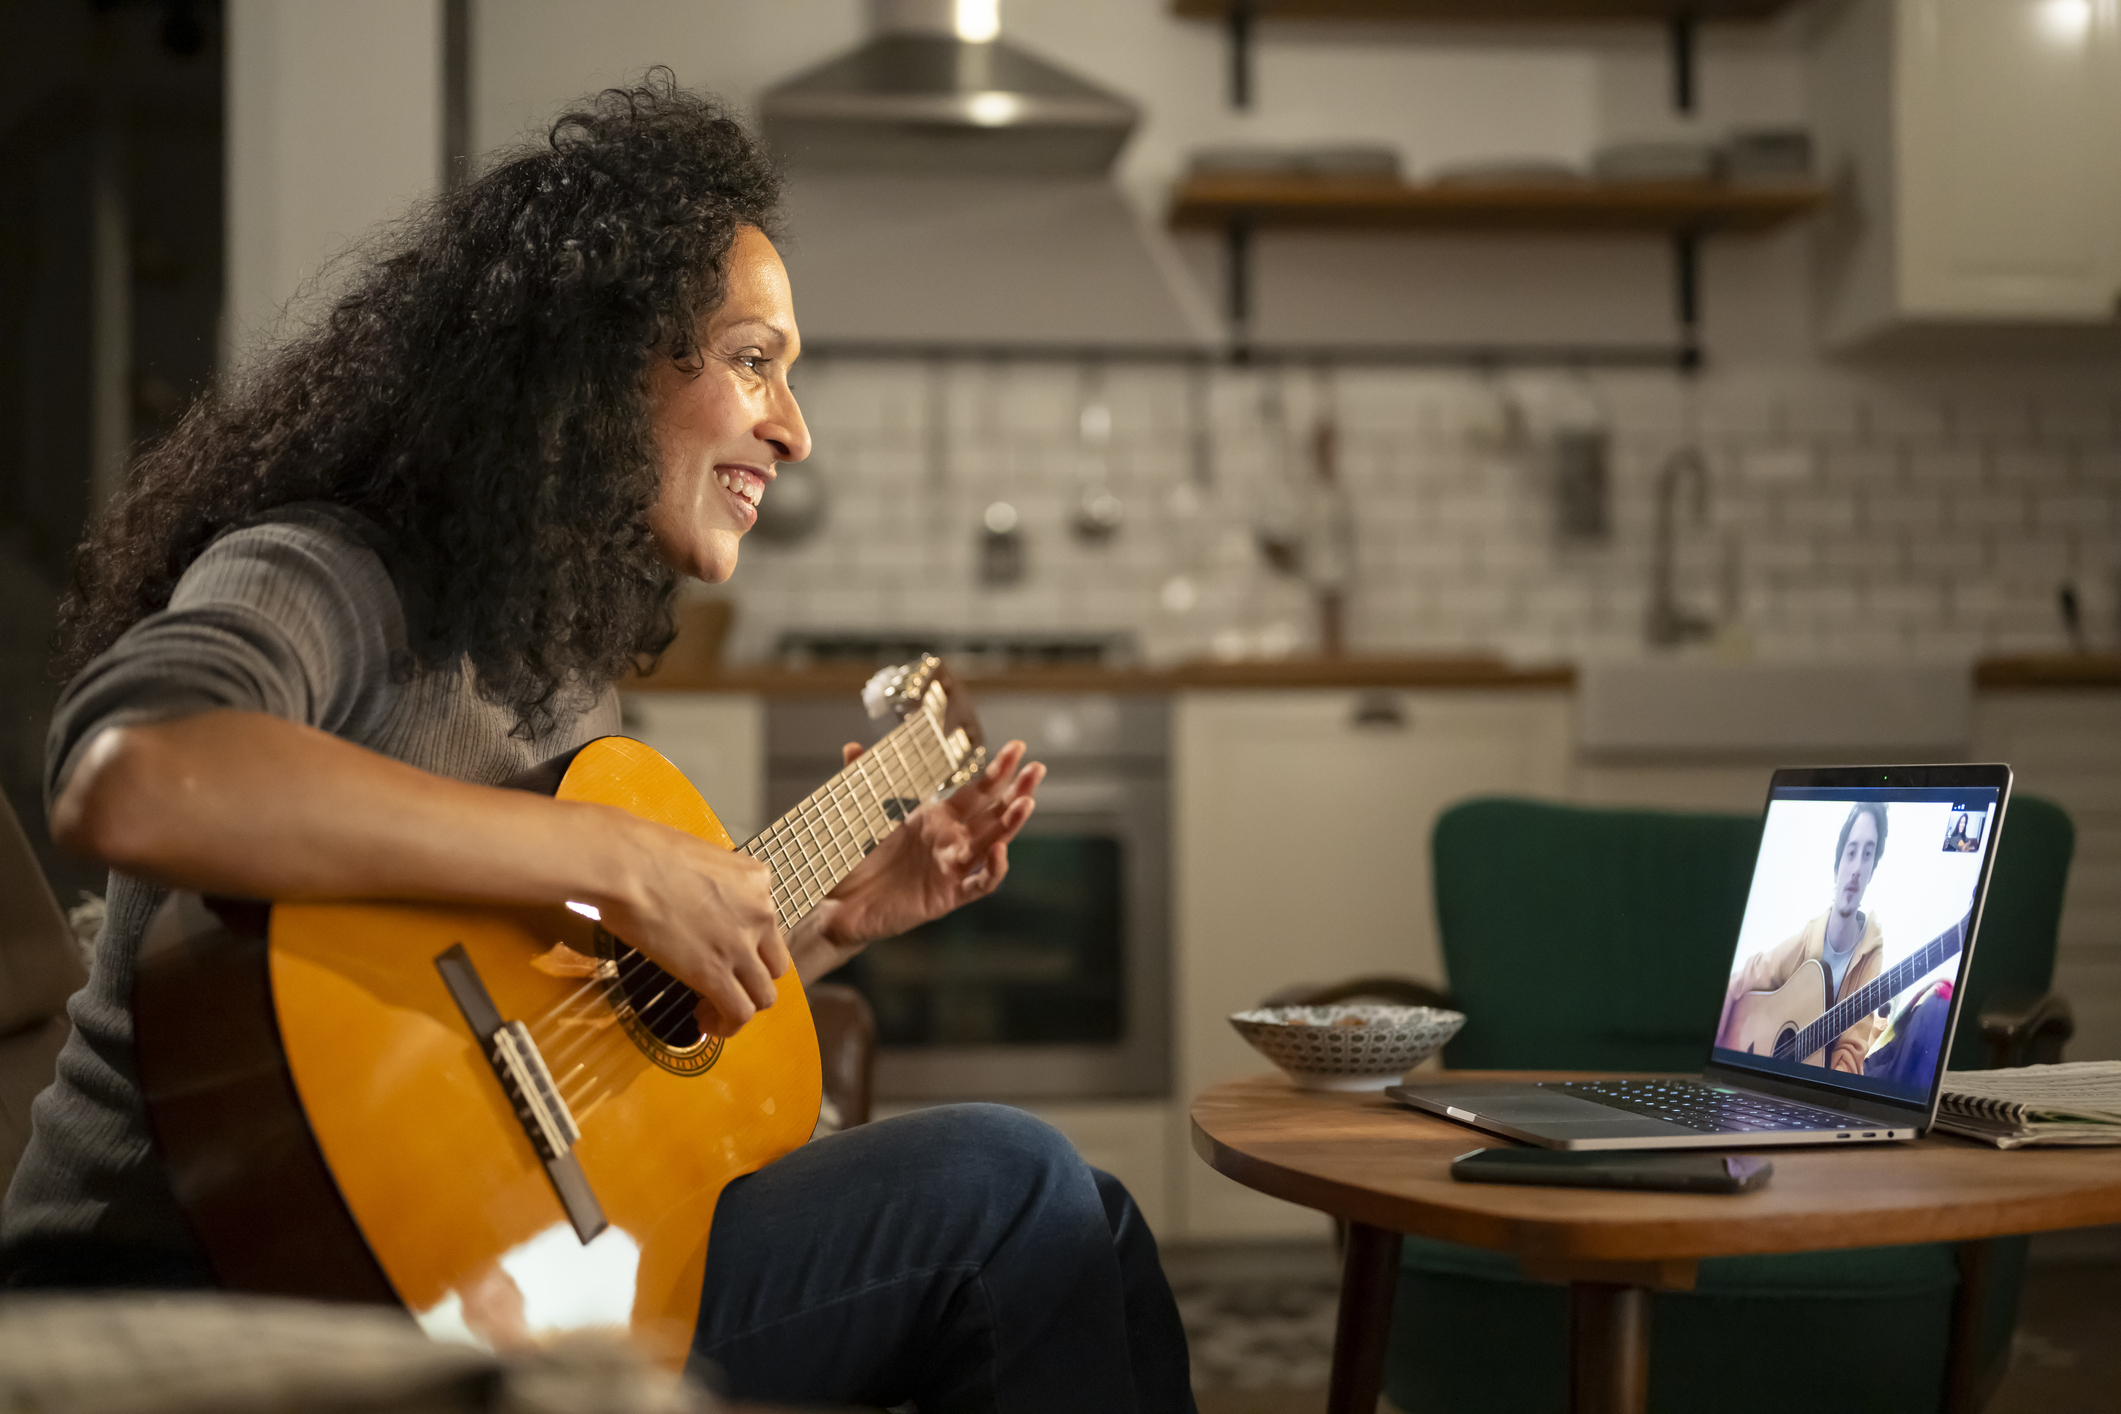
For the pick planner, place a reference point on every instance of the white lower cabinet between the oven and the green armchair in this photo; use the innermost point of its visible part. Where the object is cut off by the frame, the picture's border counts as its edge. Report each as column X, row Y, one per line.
column 1303, row 855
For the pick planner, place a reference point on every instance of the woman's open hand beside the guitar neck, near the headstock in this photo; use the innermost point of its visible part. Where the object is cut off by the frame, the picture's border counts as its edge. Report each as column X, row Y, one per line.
column 943, row 858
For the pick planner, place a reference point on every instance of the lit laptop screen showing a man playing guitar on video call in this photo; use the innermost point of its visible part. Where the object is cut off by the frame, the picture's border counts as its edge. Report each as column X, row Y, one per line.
column 1857, row 936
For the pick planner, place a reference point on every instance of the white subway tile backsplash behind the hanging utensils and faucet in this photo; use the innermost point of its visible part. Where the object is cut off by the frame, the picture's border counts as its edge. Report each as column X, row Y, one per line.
column 1859, row 514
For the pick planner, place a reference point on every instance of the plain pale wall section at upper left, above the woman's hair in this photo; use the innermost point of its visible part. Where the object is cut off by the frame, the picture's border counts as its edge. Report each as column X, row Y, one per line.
column 334, row 128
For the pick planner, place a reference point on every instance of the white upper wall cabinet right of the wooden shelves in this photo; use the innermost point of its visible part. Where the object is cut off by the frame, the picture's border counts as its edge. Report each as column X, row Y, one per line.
column 1976, row 152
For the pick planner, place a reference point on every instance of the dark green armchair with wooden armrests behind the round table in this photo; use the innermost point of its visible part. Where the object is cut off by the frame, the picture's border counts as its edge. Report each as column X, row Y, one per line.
column 1598, row 940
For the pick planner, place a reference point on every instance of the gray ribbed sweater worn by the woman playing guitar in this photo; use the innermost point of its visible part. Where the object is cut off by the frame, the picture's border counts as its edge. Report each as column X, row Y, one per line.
column 296, row 618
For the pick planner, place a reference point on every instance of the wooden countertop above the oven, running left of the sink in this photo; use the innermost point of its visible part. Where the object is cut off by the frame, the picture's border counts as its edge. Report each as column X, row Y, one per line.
column 1291, row 673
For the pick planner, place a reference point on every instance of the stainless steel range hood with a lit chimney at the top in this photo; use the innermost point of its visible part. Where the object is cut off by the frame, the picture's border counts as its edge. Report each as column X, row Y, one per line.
column 936, row 92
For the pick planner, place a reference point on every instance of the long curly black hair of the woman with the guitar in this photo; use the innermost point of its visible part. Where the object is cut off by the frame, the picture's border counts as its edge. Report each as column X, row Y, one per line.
column 480, row 395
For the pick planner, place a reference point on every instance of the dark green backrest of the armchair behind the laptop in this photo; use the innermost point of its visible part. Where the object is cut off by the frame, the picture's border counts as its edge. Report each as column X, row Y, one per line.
column 1600, row 940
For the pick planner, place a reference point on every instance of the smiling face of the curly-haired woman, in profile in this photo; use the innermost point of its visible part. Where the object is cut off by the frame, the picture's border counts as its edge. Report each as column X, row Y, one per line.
column 724, row 423
